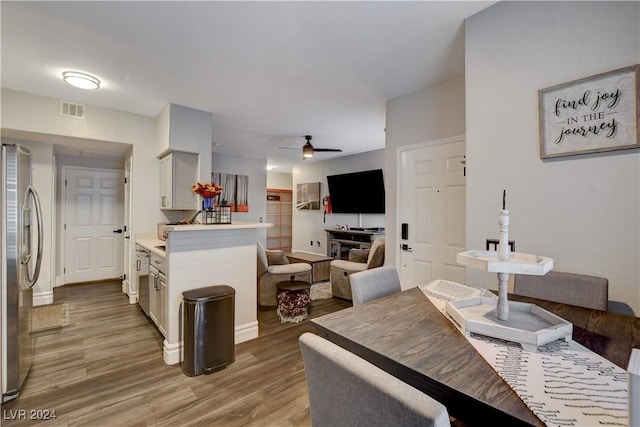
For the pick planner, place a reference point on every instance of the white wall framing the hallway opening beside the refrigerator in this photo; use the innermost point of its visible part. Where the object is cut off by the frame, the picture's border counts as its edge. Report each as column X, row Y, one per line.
column 33, row 119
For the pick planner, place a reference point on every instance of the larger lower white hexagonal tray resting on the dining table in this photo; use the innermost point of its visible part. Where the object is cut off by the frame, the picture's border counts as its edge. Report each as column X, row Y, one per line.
column 528, row 324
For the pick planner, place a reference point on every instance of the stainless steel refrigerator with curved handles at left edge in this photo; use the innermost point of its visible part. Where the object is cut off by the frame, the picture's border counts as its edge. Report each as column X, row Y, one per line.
column 21, row 235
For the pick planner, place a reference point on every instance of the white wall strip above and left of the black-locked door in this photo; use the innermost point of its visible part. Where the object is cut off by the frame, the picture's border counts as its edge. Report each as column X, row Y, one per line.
column 429, row 114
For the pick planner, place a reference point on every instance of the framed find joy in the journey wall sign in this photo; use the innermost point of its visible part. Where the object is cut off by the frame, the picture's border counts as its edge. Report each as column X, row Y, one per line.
column 590, row 115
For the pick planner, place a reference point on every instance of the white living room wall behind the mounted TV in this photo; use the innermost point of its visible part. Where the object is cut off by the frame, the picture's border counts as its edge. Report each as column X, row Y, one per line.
column 309, row 225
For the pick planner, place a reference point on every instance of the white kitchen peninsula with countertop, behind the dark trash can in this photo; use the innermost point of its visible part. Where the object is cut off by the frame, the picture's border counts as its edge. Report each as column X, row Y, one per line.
column 207, row 255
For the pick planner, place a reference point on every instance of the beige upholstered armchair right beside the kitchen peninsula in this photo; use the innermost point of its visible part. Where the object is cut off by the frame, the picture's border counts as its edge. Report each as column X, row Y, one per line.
column 274, row 267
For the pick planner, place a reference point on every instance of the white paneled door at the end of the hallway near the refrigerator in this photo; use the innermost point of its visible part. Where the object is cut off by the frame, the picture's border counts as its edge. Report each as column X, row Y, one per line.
column 94, row 218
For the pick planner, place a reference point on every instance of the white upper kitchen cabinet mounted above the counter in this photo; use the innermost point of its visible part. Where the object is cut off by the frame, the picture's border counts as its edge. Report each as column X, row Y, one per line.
column 178, row 174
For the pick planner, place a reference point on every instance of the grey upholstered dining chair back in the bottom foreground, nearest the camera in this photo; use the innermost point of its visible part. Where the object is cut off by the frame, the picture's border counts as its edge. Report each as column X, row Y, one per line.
column 346, row 390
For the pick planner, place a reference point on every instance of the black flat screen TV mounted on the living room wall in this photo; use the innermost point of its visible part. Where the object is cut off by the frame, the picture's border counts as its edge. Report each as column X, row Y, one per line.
column 357, row 192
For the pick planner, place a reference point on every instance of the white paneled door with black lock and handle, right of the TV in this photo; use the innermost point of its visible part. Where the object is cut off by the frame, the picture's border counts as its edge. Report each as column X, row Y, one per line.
column 433, row 207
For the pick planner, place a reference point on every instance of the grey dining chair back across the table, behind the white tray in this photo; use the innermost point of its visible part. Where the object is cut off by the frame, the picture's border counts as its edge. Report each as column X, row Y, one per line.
column 568, row 288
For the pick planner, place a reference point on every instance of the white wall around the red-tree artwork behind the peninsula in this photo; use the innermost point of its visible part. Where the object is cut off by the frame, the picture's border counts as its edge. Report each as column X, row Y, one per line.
column 256, row 170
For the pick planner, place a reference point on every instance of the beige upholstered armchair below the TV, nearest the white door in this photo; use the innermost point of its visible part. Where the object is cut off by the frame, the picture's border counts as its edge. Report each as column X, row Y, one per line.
column 342, row 269
